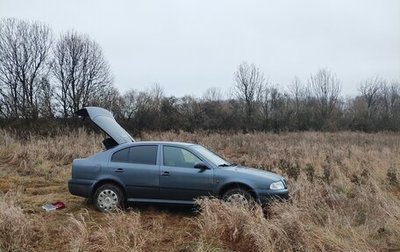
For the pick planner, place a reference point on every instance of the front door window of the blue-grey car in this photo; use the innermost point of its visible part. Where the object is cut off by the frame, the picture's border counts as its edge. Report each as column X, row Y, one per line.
column 179, row 157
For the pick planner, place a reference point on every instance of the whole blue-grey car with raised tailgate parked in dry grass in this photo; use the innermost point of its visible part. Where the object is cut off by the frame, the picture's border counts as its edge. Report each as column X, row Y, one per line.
column 163, row 172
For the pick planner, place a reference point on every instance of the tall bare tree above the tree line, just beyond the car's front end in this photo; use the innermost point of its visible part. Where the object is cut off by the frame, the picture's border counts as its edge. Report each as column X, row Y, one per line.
column 325, row 89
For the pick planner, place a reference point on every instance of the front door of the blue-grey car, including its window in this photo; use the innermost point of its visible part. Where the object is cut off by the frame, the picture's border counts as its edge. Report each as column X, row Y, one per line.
column 179, row 179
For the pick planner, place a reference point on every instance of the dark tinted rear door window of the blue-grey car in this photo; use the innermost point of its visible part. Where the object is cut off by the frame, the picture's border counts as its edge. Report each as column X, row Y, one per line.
column 146, row 154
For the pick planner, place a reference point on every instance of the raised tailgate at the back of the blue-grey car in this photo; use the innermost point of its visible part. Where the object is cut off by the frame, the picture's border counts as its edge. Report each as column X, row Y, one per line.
column 104, row 119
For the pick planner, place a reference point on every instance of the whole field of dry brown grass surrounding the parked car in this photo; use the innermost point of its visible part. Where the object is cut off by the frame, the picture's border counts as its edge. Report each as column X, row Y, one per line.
column 345, row 196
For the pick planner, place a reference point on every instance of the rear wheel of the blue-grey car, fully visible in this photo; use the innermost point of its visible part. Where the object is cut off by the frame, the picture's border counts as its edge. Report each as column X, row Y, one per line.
column 108, row 198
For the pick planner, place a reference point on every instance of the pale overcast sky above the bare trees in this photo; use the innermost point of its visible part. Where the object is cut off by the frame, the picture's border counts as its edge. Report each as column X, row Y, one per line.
column 188, row 46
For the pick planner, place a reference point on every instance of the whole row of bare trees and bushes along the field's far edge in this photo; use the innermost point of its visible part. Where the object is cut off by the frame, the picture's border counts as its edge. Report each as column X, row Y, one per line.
column 43, row 77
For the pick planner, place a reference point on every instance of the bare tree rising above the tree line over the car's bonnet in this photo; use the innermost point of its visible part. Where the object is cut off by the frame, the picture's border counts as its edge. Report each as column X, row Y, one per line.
column 249, row 84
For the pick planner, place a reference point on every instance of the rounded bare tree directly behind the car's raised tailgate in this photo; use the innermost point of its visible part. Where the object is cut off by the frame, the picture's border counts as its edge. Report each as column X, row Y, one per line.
column 80, row 71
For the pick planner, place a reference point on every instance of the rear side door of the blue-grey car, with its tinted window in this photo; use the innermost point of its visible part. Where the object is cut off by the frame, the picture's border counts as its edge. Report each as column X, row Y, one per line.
column 137, row 168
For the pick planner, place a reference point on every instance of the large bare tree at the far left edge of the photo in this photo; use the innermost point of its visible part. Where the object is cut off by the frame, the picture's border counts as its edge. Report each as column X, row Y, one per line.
column 24, row 54
